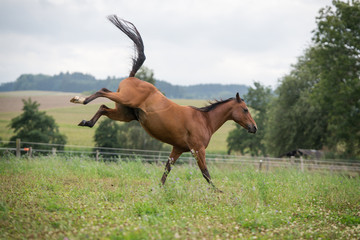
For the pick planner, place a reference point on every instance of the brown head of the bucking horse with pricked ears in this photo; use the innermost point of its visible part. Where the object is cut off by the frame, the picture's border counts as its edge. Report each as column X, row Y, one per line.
column 242, row 116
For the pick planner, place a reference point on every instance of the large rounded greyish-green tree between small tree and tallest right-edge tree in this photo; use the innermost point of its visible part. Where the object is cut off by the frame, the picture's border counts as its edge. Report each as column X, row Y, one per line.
column 293, row 121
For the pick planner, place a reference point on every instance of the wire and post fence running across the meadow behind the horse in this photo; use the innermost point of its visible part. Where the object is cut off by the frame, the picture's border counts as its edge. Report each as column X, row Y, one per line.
column 30, row 149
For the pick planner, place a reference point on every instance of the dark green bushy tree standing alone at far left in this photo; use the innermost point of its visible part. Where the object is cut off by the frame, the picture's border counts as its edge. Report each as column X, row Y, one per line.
column 35, row 126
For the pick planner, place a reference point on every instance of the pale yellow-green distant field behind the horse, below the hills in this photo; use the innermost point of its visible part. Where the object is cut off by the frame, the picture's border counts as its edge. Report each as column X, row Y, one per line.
column 68, row 115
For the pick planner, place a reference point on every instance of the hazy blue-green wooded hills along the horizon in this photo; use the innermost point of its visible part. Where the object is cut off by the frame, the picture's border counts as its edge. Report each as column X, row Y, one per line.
column 79, row 82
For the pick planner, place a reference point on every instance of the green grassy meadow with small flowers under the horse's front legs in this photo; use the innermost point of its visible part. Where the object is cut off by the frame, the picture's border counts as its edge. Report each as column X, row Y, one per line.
column 77, row 198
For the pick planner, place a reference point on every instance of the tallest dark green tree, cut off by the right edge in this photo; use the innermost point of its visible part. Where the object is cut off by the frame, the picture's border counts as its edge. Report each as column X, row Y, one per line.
column 337, row 41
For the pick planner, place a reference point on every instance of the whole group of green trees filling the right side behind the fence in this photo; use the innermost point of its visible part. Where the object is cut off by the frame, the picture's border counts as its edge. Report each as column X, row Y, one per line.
column 317, row 104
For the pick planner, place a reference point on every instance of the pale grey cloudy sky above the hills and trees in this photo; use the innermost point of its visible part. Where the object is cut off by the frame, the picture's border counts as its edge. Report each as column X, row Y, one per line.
column 186, row 42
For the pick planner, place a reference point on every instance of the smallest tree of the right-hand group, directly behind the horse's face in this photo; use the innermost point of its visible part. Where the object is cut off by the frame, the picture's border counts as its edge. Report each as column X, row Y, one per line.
column 239, row 140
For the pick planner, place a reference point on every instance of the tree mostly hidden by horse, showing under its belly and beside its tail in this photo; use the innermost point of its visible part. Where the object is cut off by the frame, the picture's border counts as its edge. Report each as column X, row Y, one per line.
column 127, row 135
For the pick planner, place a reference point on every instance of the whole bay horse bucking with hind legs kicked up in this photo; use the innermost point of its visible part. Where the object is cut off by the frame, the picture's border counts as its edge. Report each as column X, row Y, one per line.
column 186, row 128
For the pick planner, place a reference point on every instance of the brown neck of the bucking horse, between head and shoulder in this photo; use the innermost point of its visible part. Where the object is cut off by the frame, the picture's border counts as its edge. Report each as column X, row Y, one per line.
column 219, row 116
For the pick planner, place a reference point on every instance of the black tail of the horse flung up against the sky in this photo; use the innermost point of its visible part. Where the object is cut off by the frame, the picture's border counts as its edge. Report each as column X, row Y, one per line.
column 130, row 30
